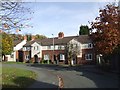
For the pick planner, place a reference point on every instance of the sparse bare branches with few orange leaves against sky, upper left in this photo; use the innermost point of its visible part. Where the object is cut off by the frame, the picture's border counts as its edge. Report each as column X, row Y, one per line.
column 12, row 16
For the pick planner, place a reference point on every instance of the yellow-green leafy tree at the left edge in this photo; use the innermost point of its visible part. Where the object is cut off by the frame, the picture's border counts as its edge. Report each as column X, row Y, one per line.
column 7, row 44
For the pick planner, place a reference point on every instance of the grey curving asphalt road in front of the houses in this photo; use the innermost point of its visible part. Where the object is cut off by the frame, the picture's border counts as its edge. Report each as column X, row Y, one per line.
column 74, row 77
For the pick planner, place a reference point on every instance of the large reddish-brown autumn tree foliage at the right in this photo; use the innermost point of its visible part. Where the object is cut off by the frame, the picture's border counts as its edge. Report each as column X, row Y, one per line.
column 107, row 36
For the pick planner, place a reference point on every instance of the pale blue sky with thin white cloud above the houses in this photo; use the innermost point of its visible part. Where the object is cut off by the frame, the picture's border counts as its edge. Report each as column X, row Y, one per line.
column 54, row 17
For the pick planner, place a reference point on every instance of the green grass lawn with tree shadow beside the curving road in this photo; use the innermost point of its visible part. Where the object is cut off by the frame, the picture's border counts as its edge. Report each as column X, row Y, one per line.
column 17, row 78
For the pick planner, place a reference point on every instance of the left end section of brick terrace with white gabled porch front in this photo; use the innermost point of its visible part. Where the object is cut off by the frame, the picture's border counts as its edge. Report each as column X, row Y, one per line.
column 30, row 51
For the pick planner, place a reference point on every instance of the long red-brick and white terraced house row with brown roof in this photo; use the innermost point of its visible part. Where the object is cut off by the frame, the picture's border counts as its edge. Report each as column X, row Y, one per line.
column 54, row 49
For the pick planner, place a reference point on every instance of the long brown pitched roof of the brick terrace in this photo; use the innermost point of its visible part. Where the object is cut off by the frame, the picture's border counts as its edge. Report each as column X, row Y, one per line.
column 49, row 41
